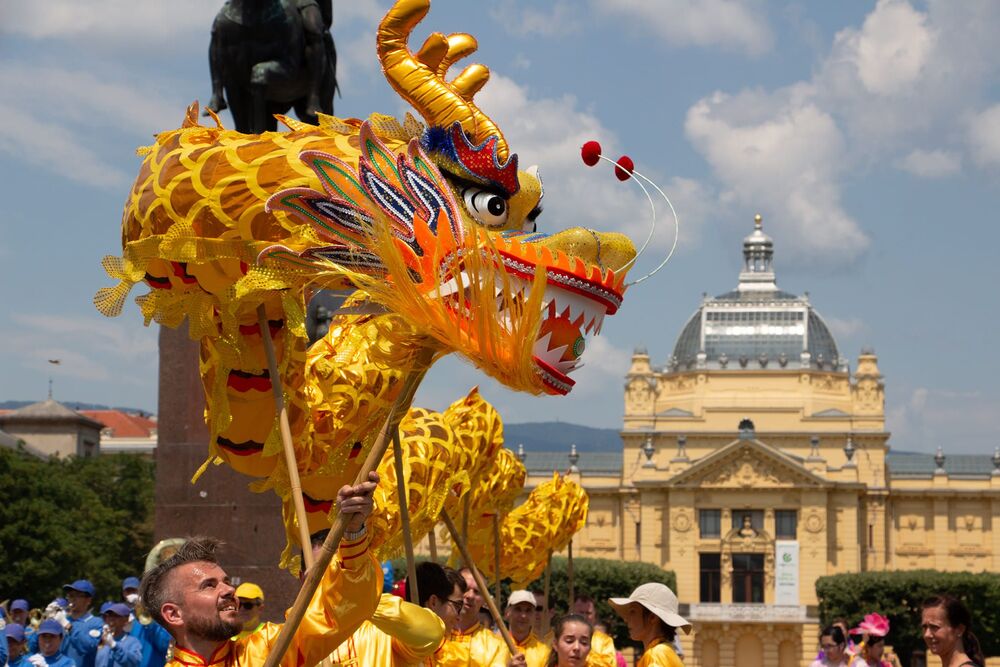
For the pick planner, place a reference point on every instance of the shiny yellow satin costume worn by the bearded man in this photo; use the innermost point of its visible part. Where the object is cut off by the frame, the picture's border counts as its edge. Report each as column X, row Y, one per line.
column 347, row 596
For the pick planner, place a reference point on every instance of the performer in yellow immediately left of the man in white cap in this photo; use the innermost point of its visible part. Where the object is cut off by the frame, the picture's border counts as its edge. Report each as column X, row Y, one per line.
column 472, row 645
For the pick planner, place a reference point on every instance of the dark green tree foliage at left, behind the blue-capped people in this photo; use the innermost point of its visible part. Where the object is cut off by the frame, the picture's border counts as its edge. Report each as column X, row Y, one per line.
column 67, row 519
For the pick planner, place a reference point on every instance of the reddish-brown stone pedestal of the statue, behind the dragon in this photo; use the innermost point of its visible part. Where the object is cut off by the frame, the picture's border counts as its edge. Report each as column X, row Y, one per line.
column 220, row 504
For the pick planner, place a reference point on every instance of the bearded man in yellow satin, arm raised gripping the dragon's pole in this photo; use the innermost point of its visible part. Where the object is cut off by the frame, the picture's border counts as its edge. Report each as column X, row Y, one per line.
column 189, row 594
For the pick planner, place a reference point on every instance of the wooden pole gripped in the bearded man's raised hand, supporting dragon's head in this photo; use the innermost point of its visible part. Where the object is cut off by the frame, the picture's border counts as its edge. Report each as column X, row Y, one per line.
column 333, row 538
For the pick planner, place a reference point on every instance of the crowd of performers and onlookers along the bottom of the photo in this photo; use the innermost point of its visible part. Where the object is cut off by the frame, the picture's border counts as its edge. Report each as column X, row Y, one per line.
column 185, row 613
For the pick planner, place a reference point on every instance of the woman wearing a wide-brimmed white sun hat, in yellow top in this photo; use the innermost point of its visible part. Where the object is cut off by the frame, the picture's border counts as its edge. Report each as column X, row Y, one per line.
column 652, row 618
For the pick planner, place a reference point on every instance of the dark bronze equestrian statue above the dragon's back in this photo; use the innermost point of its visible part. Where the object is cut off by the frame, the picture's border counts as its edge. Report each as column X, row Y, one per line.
column 267, row 56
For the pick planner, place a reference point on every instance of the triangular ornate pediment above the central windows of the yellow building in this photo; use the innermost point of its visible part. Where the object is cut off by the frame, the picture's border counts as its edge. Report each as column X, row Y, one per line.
column 747, row 464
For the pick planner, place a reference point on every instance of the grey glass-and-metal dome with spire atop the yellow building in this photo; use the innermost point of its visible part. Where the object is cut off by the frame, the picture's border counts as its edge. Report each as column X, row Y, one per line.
column 756, row 326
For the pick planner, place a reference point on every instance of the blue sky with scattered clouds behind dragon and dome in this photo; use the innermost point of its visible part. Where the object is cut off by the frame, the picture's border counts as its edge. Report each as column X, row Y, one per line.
column 866, row 134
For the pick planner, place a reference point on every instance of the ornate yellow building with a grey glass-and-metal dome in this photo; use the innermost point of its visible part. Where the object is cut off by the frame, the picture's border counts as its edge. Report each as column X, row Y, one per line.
column 755, row 461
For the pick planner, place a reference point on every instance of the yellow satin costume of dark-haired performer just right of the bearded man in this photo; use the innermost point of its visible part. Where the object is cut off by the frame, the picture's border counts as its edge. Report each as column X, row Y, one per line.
column 400, row 633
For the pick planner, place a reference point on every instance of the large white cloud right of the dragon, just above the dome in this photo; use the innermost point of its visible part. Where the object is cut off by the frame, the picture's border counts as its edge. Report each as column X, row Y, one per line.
column 783, row 155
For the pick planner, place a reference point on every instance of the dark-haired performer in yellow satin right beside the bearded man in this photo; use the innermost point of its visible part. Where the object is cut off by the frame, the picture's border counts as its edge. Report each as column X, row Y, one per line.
column 403, row 633
